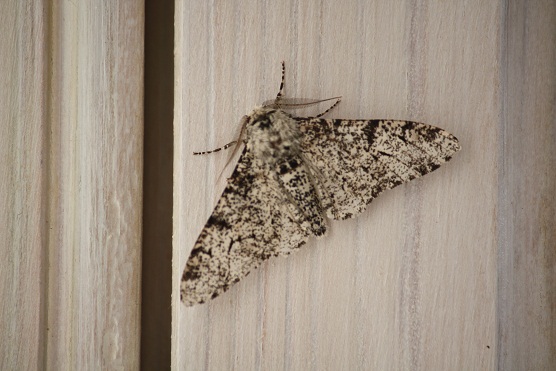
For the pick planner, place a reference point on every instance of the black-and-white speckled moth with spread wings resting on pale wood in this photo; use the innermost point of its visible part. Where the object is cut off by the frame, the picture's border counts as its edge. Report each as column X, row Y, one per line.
column 295, row 173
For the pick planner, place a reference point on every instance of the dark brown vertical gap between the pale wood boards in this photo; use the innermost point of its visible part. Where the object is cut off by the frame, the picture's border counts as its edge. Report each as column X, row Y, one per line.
column 156, row 282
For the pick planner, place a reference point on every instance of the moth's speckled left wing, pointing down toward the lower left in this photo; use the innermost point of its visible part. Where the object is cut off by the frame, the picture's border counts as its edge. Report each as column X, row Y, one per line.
column 248, row 225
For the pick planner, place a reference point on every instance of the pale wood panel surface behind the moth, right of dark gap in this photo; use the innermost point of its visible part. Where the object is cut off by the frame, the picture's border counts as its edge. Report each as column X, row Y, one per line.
column 446, row 272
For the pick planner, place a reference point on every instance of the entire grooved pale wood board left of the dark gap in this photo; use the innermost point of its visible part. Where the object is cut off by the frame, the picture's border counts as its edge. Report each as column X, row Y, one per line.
column 71, row 184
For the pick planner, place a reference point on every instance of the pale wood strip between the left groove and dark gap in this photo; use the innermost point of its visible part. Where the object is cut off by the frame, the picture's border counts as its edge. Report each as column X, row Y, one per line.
column 96, row 185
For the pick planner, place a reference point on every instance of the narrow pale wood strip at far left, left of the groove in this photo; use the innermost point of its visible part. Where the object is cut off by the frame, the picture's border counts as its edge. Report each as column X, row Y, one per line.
column 23, row 183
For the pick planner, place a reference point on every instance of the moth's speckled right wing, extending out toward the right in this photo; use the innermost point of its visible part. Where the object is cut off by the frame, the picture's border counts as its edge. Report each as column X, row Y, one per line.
column 359, row 159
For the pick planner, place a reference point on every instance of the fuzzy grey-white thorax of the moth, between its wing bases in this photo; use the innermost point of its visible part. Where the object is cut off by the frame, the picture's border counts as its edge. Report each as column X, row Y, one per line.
column 272, row 135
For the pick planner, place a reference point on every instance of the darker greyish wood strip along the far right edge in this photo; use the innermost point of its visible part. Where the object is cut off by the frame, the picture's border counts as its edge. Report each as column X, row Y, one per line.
column 526, row 189
